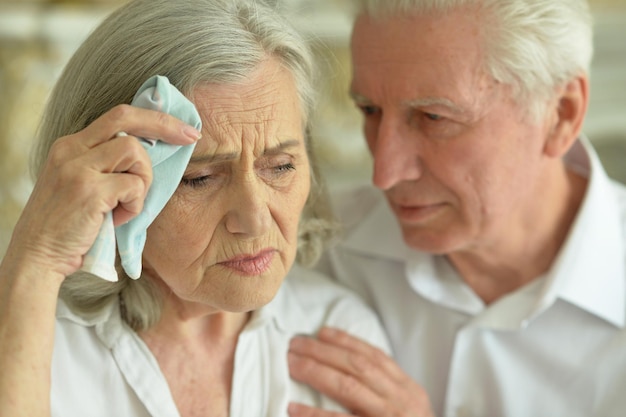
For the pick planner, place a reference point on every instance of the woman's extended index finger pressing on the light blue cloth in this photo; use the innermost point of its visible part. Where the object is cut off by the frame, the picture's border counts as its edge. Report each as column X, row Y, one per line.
column 139, row 122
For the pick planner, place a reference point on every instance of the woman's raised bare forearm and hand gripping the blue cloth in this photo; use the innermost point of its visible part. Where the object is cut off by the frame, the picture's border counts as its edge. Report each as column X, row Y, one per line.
column 86, row 175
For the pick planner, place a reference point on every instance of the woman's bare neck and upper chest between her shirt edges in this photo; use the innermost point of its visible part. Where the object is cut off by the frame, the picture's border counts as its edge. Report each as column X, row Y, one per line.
column 195, row 347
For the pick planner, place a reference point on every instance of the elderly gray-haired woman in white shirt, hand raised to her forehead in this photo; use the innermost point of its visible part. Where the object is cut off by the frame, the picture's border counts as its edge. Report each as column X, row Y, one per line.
column 205, row 330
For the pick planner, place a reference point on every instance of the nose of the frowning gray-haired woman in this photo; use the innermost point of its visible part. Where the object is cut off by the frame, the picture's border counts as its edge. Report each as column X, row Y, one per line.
column 249, row 214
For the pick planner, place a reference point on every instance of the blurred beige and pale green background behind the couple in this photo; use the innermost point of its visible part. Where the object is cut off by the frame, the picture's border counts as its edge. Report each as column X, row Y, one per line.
column 38, row 36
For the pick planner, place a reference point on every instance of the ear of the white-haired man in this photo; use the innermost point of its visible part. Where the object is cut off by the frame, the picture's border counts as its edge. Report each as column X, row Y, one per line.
column 570, row 111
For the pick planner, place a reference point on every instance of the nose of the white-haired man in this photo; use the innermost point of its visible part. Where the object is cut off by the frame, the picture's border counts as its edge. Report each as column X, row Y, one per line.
column 395, row 151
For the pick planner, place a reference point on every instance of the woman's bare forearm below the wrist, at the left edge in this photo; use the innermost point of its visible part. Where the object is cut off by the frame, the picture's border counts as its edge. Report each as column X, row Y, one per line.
column 27, row 311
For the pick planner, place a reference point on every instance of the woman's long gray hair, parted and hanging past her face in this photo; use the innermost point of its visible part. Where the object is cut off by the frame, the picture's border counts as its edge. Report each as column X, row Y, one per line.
column 191, row 42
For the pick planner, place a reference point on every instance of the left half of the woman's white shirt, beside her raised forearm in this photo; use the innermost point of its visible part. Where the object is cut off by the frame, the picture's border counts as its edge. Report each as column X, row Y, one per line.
column 99, row 357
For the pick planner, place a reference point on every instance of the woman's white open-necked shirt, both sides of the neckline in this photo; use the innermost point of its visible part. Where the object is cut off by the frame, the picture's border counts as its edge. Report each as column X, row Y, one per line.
column 102, row 368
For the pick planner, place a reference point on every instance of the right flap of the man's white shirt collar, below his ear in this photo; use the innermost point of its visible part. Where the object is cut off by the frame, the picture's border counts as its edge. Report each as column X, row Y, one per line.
column 589, row 270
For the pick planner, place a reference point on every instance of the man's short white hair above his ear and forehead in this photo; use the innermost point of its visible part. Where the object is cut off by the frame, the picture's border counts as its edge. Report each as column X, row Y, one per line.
column 535, row 46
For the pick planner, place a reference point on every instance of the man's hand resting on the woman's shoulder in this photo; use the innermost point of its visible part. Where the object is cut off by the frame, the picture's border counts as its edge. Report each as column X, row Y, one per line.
column 359, row 376
